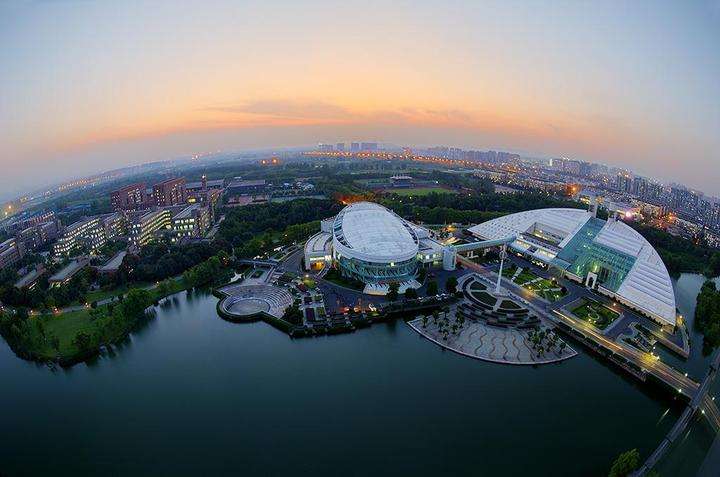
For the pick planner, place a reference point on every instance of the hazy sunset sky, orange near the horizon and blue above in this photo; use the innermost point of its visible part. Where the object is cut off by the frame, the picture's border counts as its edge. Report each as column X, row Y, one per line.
column 87, row 86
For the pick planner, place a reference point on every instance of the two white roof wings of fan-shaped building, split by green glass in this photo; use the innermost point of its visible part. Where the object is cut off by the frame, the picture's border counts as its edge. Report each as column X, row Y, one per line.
column 647, row 286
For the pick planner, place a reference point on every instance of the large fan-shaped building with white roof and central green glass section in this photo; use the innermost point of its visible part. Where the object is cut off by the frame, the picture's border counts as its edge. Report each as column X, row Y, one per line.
column 608, row 256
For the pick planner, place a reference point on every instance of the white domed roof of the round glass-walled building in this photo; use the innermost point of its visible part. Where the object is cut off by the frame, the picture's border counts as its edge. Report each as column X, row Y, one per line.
column 372, row 233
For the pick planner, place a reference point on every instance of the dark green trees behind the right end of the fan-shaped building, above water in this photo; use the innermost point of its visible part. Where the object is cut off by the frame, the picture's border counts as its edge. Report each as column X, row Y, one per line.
column 681, row 255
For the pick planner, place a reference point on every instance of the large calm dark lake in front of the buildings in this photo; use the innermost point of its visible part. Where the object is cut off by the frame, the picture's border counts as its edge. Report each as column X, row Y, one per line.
column 192, row 393
